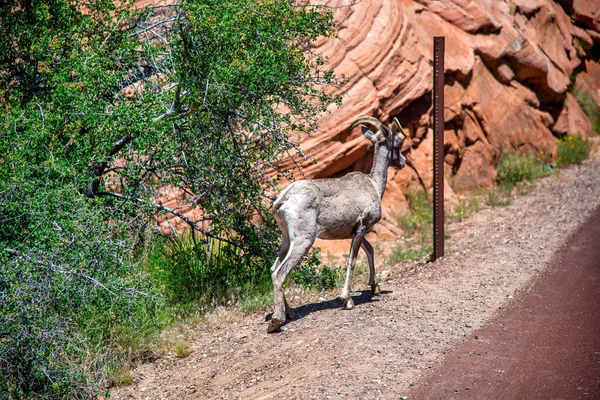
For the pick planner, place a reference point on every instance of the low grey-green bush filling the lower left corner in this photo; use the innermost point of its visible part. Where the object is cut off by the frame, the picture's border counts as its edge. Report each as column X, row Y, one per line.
column 71, row 298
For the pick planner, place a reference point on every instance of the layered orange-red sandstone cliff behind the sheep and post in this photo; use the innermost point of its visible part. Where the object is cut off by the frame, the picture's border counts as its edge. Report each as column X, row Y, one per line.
column 509, row 69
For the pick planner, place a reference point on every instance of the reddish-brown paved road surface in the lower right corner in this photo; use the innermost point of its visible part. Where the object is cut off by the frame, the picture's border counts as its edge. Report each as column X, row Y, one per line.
column 544, row 345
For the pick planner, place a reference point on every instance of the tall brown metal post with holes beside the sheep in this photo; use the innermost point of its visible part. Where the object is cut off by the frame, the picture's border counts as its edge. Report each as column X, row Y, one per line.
column 438, row 147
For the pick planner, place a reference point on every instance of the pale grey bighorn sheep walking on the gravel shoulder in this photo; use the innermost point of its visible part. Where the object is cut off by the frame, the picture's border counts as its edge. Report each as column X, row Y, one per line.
column 337, row 208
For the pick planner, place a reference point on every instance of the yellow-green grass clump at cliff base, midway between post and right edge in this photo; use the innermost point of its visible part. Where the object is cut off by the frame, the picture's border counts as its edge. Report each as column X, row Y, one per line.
column 514, row 169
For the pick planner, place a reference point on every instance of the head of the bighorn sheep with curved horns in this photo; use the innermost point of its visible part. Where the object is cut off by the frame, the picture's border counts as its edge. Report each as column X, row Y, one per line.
column 390, row 138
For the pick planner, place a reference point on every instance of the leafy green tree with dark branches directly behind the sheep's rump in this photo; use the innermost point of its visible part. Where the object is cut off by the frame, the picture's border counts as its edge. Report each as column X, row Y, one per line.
column 237, row 81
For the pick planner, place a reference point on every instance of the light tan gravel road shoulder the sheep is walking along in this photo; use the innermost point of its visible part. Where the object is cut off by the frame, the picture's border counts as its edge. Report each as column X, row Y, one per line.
column 385, row 346
